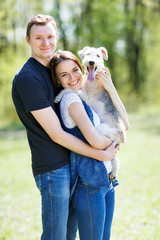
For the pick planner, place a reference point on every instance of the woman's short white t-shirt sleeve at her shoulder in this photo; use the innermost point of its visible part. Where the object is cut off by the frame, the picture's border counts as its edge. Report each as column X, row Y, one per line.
column 66, row 101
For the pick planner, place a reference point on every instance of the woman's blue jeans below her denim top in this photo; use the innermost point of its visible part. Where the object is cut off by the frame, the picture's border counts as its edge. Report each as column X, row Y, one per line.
column 94, row 208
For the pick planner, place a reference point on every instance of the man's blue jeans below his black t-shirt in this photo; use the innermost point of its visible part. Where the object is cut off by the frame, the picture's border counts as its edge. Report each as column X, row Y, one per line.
column 54, row 187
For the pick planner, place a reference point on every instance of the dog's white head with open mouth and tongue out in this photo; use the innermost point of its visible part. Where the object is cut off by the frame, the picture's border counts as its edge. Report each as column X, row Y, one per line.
column 93, row 60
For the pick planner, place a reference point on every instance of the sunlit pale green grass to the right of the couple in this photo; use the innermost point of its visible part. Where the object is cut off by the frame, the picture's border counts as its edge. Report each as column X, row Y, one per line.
column 137, row 214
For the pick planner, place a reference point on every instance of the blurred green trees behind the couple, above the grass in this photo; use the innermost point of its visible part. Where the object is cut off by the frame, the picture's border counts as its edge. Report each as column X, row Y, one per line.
column 128, row 29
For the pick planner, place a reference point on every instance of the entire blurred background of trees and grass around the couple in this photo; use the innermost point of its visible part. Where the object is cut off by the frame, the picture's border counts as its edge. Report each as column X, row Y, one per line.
column 130, row 31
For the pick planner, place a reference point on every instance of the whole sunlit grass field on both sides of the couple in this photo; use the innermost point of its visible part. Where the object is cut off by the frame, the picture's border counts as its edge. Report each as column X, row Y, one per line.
column 137, row 212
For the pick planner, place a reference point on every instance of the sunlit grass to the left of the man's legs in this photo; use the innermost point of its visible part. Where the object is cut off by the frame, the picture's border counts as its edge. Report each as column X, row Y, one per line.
column 19, row 198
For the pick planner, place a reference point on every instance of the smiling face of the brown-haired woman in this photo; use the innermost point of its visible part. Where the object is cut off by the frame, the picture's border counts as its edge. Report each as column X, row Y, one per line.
column 69, row 75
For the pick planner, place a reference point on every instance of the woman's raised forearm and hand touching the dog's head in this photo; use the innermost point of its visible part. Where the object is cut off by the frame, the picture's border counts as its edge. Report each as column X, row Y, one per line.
column 105, row 79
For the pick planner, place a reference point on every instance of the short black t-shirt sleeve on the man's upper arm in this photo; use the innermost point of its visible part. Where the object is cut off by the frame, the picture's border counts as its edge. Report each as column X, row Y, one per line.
column 32, row 92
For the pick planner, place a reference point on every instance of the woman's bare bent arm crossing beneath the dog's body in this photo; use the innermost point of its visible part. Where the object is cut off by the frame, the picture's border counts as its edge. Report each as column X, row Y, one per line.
column 80, row 117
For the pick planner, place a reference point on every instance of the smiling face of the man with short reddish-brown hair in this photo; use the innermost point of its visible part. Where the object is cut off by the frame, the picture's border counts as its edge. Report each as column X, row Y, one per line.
column 43, row 42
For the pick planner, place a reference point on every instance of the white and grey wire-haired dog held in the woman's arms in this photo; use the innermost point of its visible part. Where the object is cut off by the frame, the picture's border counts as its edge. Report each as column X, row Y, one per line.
column 98, row 99
